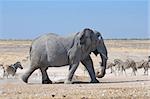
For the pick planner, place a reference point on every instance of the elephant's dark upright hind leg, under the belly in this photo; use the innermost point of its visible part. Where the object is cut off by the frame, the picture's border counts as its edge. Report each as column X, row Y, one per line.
column 45, row 78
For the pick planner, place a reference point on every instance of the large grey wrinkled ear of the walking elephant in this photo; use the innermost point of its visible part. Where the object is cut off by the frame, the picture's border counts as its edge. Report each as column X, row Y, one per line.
column 81, row 43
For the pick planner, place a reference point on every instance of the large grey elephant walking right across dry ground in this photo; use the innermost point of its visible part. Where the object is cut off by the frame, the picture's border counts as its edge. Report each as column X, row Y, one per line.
column 52, row 50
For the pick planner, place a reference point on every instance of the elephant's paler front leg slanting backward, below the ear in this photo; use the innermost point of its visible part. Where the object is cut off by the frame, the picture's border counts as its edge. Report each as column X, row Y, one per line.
column 72, row 70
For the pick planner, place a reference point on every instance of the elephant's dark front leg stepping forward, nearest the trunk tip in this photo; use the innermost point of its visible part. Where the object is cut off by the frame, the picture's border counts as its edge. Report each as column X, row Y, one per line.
column 88, row 63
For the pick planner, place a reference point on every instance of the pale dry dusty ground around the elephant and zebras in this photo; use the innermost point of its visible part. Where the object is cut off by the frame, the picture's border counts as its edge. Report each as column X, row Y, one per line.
column 111, row 86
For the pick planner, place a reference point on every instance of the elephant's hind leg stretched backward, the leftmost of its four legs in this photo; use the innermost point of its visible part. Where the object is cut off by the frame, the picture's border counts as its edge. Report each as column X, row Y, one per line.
column 28, row 74
